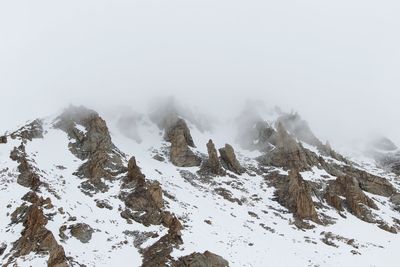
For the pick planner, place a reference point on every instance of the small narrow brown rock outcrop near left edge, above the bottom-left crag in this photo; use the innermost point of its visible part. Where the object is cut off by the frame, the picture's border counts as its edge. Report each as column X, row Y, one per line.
column 27, row 172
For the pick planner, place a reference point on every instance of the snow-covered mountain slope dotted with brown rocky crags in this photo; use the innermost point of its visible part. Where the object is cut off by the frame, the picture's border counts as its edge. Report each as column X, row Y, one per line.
column 167, row 189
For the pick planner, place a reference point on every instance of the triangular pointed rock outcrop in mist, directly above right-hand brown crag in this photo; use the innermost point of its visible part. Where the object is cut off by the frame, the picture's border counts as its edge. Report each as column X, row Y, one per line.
column 288, row 153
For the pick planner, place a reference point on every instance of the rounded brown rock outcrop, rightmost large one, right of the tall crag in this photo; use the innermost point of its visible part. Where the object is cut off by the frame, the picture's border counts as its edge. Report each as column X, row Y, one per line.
column 354, row 198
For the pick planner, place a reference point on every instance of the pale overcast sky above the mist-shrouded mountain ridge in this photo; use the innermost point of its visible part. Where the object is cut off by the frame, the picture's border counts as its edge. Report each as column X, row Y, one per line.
column 336, row 62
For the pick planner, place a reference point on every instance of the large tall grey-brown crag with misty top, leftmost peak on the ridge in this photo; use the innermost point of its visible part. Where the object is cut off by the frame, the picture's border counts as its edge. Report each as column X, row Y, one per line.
column 103, row 159
